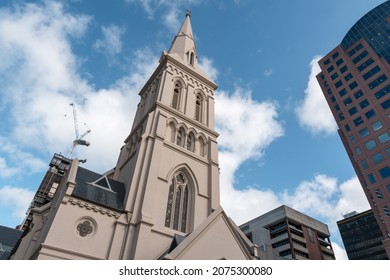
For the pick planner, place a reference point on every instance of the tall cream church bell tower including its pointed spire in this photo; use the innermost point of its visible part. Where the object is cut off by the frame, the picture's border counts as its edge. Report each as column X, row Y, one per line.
column 169, row 161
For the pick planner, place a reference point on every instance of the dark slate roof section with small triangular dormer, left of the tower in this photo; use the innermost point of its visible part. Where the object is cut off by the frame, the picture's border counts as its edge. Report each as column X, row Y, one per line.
column 99, row 189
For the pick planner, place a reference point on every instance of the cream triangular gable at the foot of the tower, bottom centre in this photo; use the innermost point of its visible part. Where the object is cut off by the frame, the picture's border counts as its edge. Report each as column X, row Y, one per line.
column 222, row 238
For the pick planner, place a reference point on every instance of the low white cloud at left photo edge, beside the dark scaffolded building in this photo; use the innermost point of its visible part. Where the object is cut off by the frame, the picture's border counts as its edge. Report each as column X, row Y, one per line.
column 17, row 198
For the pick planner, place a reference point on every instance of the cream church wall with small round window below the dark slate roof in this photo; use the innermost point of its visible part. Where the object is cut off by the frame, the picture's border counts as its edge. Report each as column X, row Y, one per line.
column 78, row 218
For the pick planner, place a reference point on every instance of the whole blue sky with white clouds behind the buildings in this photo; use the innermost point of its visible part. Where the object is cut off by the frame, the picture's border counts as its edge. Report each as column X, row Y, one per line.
column 278, row 141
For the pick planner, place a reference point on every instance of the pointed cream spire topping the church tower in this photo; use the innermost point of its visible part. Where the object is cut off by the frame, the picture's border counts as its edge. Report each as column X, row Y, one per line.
column 184, row 45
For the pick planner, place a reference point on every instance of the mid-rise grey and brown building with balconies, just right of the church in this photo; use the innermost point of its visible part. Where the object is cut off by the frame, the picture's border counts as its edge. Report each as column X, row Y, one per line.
column 291, row 233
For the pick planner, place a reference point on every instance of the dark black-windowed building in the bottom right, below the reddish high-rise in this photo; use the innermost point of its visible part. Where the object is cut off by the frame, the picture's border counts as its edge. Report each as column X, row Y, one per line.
column 362, row 236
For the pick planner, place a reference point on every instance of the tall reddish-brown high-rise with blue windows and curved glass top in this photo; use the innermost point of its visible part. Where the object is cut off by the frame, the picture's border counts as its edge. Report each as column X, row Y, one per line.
column 355, row 80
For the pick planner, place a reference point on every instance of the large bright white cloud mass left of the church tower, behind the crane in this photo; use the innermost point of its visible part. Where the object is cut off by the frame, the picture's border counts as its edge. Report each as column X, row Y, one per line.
column 36, row 40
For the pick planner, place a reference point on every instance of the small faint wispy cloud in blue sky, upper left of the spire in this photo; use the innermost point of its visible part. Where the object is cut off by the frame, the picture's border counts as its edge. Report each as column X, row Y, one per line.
column 111, row 44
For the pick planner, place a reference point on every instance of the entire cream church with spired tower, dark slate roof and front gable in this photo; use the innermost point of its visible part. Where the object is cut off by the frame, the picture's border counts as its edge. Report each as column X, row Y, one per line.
column 162, row 199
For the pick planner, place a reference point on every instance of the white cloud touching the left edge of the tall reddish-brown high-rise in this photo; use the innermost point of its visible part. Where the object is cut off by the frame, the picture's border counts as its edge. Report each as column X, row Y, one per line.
column 314, row 112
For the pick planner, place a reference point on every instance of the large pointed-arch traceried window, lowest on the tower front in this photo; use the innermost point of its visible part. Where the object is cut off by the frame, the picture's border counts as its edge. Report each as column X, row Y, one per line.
column 176, row 216
